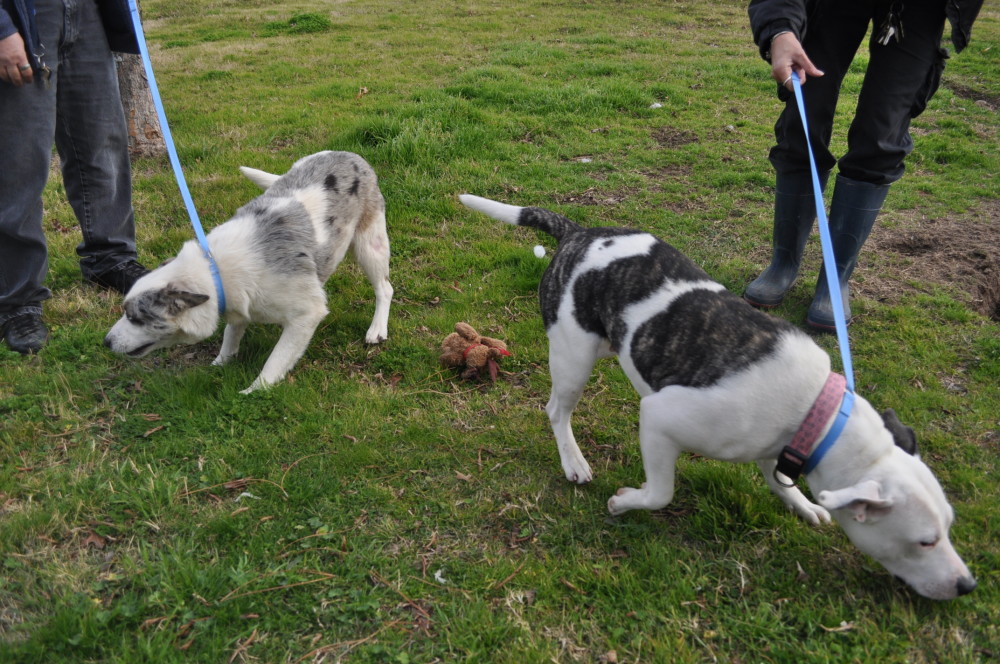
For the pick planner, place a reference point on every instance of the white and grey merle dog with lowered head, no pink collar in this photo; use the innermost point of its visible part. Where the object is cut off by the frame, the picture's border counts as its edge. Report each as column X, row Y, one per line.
column 274, row 257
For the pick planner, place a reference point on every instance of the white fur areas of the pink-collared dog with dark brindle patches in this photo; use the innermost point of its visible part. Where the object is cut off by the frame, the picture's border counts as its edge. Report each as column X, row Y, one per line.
column 887, row 500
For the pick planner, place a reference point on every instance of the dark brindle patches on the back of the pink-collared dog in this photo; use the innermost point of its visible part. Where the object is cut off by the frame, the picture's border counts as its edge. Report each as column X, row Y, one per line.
column 698, row 339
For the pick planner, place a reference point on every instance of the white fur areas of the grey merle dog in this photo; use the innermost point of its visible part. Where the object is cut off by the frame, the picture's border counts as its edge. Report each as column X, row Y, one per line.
column 254, row 290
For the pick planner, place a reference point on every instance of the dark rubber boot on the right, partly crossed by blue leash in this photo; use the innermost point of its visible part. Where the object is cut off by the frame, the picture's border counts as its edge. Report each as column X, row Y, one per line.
column 853, row 211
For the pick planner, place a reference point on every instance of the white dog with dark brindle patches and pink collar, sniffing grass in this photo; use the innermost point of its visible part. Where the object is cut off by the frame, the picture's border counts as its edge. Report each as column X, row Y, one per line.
column 726, row 381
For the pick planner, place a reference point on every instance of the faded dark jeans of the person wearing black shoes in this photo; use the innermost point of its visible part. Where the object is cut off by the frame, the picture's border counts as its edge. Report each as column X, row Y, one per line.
column 80, row 111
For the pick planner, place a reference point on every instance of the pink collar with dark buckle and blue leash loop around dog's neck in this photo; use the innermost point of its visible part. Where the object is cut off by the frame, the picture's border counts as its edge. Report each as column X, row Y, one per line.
column 799, row 457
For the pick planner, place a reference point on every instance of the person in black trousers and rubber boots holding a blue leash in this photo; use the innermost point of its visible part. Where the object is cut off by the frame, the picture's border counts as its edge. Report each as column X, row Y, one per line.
column 818, row 39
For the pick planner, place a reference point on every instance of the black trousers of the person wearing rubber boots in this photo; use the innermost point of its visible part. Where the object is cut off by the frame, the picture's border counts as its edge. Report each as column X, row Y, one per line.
column 899, row 80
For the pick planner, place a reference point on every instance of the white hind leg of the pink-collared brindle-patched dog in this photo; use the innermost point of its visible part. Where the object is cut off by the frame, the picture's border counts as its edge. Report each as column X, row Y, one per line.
column 572, row 354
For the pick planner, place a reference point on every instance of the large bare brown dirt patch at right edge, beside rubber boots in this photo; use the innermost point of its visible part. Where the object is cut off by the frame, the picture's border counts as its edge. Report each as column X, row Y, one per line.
column 961, row 253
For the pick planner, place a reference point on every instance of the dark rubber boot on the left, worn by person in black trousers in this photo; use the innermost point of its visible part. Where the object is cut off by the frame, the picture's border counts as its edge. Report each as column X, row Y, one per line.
column 794, row 214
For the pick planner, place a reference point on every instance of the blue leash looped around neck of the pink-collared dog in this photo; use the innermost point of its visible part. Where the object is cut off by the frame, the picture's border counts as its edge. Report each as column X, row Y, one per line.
column 830, row 268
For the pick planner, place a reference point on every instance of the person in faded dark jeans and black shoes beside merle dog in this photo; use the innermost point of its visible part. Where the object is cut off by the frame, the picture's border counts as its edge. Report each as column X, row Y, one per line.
column 58, row 84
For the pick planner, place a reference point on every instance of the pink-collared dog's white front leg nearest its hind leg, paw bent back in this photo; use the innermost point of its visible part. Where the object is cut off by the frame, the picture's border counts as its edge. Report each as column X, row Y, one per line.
column 659, row 458
